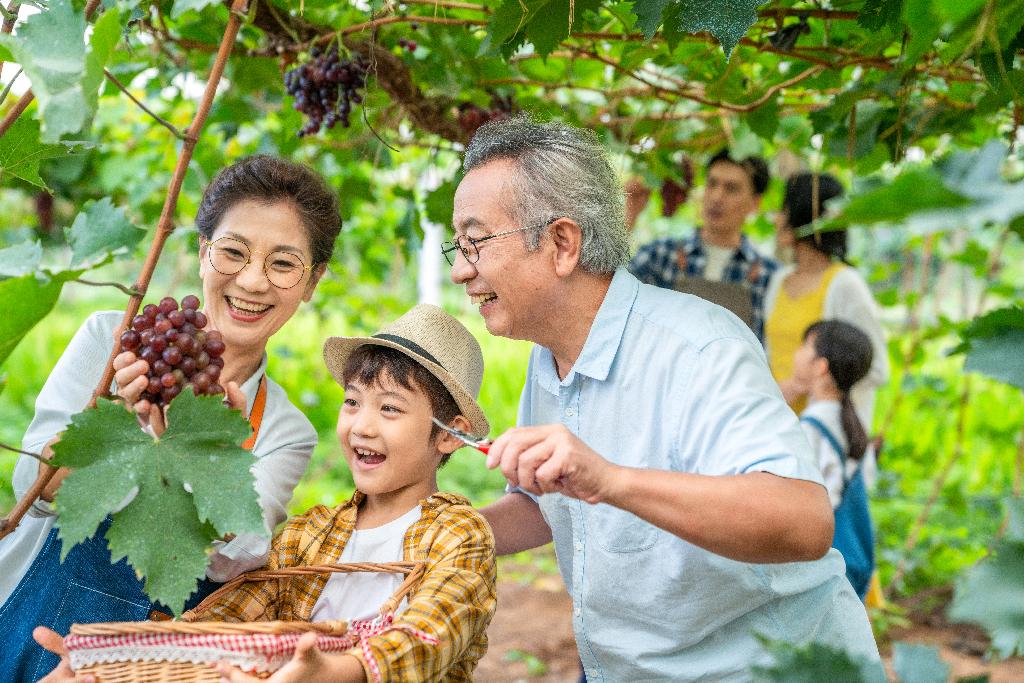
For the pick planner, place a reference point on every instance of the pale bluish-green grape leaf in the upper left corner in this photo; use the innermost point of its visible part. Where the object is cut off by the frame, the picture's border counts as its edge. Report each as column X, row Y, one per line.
column 51, row 48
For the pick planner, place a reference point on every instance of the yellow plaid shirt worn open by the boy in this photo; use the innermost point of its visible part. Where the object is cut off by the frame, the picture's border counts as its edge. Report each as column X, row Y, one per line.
column 454, row 602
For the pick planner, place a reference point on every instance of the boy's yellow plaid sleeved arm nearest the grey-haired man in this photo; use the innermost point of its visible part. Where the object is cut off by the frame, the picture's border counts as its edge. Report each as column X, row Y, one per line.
column 453, row 606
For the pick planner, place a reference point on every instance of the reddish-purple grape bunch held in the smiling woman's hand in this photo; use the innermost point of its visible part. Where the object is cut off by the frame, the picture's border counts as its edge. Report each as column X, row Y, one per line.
column 181, row 354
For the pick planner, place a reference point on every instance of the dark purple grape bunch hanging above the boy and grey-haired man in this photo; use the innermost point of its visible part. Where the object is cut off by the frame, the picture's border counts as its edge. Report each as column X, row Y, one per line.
column 326, row 89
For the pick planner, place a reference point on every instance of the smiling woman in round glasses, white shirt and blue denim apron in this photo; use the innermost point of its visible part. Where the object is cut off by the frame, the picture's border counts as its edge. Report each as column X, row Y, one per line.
column 268, row 230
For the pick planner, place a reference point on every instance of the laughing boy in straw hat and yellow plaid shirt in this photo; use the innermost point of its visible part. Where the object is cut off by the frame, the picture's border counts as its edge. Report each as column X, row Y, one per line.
column 425, row 365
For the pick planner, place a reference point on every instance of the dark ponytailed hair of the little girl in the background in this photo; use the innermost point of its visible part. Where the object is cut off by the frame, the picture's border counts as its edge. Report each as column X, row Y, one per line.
column 849, row 354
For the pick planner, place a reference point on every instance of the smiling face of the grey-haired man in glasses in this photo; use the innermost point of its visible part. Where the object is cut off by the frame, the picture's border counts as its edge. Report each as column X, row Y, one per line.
column 513, row 286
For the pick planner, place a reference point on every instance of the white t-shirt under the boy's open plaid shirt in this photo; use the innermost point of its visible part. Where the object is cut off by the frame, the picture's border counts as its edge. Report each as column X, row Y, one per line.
column 360, row 595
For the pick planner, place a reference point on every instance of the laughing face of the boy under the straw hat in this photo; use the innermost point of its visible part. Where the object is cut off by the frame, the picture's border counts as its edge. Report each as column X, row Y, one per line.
column 386, row 433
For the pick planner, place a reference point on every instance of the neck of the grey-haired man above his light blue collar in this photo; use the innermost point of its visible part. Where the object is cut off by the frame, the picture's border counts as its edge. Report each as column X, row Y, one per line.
column 573, row 320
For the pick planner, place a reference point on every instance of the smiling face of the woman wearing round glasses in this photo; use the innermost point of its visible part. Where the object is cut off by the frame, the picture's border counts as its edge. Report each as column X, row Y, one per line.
column 246, row 308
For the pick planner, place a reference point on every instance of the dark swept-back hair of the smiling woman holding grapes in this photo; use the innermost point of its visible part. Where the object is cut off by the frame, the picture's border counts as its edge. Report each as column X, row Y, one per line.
column 269, row 180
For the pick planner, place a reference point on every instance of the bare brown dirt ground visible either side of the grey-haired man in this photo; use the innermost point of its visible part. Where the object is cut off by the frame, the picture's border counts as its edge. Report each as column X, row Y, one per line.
column 532, row 635
